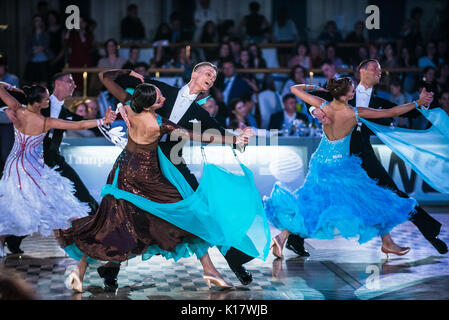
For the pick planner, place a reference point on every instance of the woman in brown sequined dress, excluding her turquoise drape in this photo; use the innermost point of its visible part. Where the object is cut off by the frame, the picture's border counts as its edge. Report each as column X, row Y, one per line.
column 120, row 230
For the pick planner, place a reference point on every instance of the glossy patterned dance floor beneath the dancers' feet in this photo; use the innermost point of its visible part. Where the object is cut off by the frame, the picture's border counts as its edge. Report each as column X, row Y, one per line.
column 336, row 269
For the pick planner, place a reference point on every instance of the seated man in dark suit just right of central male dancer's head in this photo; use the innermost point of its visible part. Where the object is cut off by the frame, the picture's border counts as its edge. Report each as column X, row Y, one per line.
column 232, row 85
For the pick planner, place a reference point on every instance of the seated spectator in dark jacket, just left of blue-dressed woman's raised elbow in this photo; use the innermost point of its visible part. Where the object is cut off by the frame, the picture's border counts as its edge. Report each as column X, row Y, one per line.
column 285, row 118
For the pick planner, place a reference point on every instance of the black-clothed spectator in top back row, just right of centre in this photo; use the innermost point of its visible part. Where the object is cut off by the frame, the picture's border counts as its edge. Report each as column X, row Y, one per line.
column 254, row 23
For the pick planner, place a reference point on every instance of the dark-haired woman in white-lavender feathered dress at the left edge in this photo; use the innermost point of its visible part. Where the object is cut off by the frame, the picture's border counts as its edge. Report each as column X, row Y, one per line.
column 34, row 197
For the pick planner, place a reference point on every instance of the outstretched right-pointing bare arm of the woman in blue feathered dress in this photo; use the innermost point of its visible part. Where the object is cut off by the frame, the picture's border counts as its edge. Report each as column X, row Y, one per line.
column 425, row 98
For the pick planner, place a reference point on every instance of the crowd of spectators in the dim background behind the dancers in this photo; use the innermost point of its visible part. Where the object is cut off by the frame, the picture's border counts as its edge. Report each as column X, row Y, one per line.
column 242, row 99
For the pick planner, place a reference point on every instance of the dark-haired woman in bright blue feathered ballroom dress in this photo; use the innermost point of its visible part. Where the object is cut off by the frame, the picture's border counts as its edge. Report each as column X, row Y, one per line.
column 338, row 193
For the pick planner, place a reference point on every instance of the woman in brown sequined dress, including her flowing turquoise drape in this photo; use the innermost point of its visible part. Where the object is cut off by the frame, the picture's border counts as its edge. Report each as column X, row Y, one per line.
column 149, row 209
